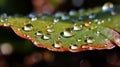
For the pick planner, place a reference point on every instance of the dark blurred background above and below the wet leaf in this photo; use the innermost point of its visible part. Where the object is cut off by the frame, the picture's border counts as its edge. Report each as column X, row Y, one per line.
column 18, row 52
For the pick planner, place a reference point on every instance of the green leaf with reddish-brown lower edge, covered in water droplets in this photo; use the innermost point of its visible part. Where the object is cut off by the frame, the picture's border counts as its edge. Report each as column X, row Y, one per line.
column 55, row 34
